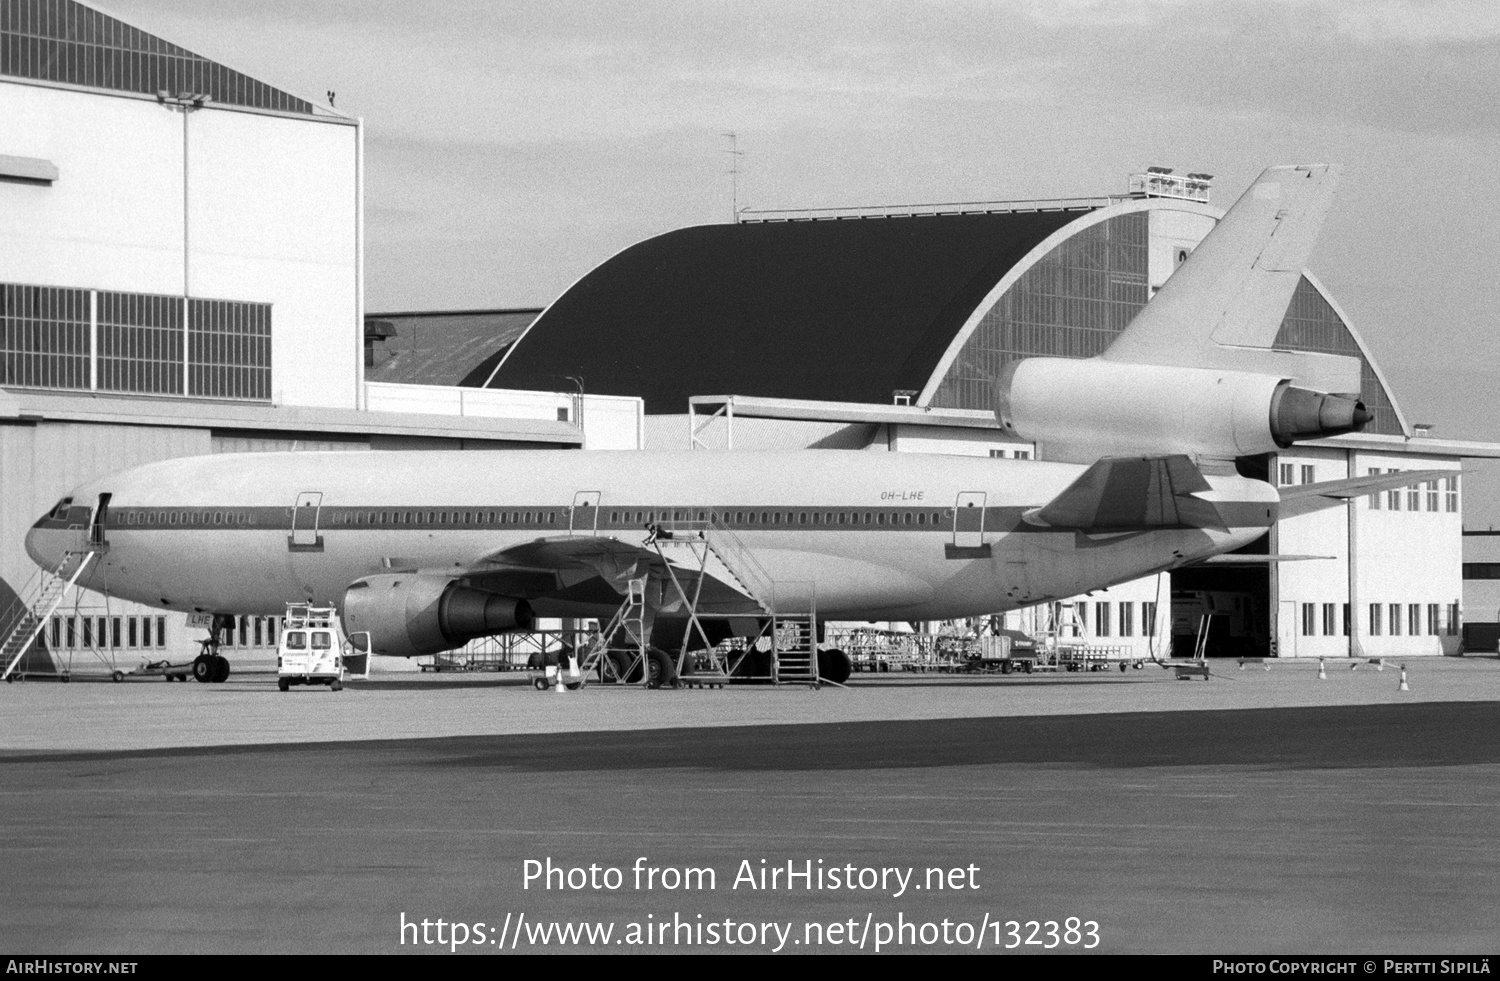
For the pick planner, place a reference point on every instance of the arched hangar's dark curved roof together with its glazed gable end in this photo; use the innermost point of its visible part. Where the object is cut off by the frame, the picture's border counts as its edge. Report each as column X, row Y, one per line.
column 862, row 308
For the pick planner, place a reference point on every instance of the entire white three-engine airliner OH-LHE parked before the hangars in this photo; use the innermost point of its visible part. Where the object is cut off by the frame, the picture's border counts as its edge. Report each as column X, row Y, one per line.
column 427, row 551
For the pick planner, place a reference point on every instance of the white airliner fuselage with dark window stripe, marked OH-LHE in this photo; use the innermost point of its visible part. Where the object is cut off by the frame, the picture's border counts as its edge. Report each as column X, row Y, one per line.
column 878, row 536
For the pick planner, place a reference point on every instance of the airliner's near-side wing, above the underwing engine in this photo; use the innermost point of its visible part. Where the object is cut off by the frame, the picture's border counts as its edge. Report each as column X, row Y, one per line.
column 578, row 566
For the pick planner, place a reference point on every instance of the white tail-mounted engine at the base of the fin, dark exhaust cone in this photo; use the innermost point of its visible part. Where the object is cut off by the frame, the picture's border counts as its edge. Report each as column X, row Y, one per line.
column 1084, row 410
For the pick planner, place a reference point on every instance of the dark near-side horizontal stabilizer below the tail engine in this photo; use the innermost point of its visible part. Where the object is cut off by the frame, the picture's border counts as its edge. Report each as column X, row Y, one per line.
column 1132, row 493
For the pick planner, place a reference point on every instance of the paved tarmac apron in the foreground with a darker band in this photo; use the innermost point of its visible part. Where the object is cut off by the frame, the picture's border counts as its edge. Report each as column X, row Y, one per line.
column 1256, row 812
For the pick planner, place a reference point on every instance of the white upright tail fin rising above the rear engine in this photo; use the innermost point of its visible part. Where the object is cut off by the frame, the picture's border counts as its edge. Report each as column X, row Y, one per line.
column 1225, row 307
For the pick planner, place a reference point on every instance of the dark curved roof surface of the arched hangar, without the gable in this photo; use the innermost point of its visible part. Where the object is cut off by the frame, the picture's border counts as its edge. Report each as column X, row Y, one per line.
column 847, row 311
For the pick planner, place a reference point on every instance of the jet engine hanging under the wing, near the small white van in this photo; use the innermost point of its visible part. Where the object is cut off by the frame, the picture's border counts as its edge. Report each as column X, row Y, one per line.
column 410, row 616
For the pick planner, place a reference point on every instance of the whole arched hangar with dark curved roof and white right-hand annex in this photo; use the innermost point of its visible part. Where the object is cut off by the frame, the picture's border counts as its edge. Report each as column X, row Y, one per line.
column 884, row 328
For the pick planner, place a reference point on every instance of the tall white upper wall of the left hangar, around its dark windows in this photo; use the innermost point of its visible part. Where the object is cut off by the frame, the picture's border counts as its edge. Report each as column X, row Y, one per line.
column 220, row 203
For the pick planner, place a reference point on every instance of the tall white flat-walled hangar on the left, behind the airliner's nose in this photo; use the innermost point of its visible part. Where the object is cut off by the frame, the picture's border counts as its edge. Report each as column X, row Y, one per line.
column 182, row 274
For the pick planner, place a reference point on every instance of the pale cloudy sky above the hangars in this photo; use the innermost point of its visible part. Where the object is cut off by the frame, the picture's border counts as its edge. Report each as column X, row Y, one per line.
column 512, row 148
